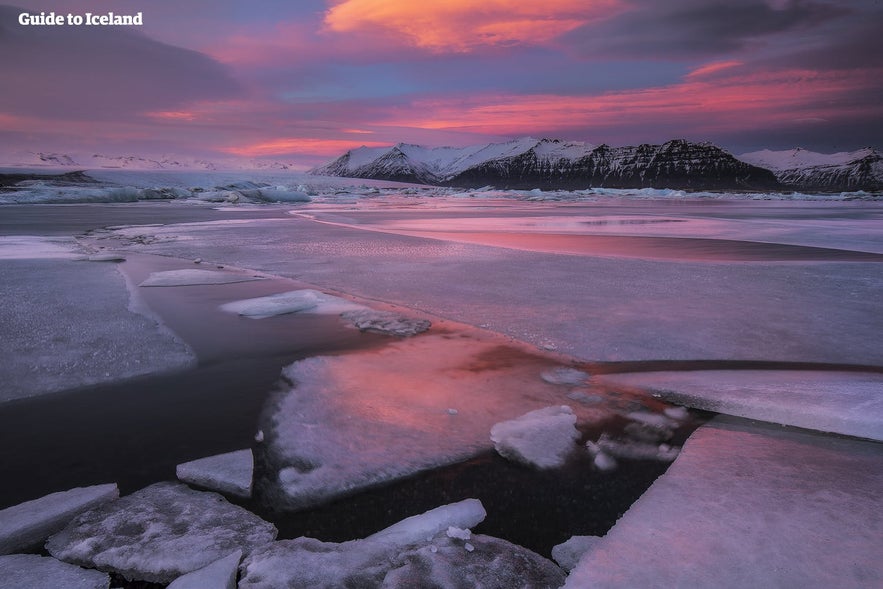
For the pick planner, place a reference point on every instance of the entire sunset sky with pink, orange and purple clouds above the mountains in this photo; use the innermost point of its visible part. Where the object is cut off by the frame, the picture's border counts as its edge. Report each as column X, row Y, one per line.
column 303, row 81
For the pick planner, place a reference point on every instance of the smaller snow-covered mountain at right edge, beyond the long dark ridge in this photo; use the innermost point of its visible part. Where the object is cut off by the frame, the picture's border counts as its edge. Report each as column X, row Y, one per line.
column 808, row 170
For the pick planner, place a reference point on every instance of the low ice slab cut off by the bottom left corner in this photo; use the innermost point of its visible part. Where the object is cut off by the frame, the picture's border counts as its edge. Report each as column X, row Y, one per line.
column 30, row 571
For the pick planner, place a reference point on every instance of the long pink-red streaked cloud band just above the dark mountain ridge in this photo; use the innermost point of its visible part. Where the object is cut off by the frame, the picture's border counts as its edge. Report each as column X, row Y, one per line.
column 724, row 104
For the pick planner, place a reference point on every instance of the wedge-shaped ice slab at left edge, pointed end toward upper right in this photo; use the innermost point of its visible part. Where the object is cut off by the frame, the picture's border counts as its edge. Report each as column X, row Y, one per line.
column 30, row 523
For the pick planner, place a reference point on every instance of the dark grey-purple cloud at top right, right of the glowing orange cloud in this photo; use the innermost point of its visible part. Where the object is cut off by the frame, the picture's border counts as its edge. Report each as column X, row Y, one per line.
column 681, row 29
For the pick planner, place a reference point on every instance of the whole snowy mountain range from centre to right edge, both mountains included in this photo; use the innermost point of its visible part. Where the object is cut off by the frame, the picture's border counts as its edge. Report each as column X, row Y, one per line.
column 527, row 163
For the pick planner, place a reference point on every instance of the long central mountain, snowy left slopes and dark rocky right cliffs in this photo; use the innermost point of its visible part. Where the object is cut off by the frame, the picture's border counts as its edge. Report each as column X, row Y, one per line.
column 551, row 163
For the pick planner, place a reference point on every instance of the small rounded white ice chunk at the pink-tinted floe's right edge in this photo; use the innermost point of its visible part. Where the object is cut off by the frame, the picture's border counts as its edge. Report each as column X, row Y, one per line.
column 543, row 438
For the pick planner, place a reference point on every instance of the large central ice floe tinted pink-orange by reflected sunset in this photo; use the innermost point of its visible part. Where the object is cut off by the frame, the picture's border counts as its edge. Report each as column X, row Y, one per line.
column 357, row 420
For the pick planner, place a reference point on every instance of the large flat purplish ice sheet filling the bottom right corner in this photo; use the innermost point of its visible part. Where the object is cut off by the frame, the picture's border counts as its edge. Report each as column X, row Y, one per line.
column 751, row 505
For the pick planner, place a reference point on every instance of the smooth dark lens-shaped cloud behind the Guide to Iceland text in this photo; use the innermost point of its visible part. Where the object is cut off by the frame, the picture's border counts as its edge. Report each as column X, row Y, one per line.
column 99, row 73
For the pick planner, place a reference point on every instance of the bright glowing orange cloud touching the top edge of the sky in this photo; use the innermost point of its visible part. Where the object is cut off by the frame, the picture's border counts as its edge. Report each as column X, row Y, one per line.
column 464, row 25
